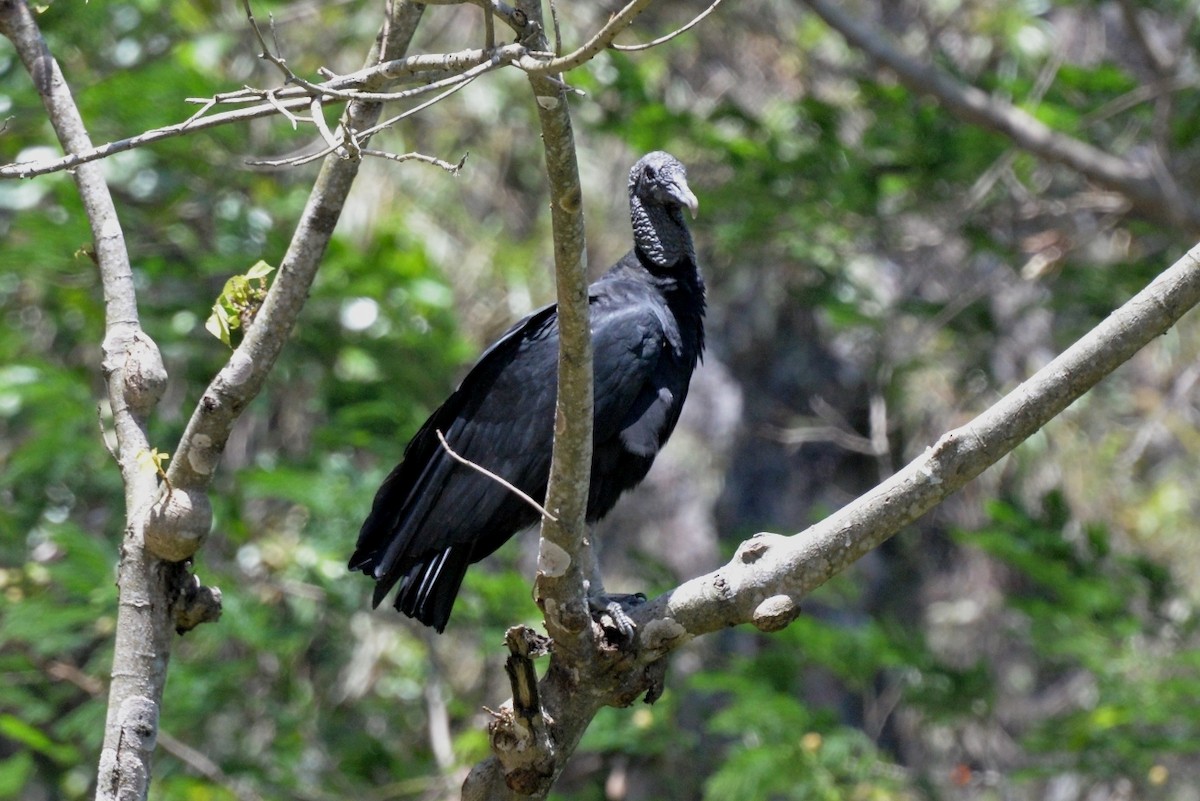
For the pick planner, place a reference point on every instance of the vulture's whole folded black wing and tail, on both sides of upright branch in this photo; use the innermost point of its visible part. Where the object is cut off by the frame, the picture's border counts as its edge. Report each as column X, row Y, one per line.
column 434, row 517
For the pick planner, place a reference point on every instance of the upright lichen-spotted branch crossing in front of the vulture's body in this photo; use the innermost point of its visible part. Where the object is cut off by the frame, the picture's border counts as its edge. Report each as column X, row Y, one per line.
column 530, row 748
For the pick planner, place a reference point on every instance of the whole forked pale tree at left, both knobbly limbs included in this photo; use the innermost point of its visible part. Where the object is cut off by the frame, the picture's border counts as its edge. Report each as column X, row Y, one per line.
column 152, row 583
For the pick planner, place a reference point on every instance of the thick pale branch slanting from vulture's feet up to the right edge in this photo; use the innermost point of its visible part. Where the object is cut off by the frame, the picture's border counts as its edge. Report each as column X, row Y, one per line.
column 771, row 574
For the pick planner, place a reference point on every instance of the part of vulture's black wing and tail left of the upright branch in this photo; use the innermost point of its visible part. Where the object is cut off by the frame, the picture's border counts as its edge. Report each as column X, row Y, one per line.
column 433, row 514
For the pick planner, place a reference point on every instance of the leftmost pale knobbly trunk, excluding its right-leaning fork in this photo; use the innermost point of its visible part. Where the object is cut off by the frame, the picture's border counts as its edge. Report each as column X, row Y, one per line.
column 136, row 380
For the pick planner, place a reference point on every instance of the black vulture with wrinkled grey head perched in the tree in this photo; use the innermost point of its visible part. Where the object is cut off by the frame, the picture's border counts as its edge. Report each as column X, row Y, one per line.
column 434, row 516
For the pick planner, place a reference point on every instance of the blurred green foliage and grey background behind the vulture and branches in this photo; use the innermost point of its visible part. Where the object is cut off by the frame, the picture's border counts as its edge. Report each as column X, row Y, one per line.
column 879, row 272
